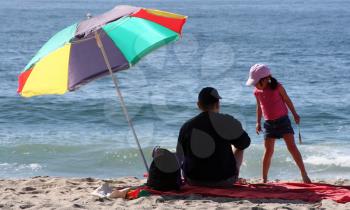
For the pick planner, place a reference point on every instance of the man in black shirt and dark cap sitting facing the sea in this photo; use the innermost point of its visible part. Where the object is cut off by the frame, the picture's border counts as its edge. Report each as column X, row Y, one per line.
column 210, row 145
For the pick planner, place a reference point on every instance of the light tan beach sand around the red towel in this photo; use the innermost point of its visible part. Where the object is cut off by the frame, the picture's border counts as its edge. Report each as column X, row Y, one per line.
column 75, row 193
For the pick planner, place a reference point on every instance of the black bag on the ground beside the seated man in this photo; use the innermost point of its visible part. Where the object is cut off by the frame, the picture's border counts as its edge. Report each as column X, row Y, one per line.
column 164, row 173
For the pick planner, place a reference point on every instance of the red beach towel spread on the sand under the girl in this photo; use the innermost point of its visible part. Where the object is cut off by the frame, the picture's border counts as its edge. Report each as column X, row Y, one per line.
column 286, row 191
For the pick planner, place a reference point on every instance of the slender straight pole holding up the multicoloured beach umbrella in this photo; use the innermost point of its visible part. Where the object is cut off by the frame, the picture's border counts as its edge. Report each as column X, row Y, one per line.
column 119, row 94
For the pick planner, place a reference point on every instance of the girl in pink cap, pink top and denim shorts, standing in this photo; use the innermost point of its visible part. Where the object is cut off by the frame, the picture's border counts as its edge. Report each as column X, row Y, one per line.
column 272, row 101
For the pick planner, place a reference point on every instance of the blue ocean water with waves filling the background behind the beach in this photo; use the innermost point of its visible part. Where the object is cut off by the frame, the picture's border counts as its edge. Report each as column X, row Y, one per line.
column 84, row 133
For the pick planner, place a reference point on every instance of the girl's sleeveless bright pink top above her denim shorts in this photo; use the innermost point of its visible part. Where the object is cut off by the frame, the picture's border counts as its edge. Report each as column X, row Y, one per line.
column 271, row 103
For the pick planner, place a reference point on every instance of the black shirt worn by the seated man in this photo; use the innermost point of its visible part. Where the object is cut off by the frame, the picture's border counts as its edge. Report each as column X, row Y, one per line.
column 204, row 146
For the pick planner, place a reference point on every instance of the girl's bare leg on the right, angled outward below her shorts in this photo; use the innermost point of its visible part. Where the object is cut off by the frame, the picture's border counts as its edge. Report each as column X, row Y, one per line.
column 293, row 149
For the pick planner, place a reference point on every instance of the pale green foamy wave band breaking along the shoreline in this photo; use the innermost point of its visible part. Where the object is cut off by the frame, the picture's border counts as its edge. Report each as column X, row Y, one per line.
column 104, row 160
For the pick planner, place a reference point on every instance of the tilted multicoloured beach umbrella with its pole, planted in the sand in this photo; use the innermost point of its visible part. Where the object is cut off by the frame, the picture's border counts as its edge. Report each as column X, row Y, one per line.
column 98, row 46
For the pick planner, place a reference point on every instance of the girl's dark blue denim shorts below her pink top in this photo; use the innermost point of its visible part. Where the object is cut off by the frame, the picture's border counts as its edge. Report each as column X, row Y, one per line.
column 277, row 128
